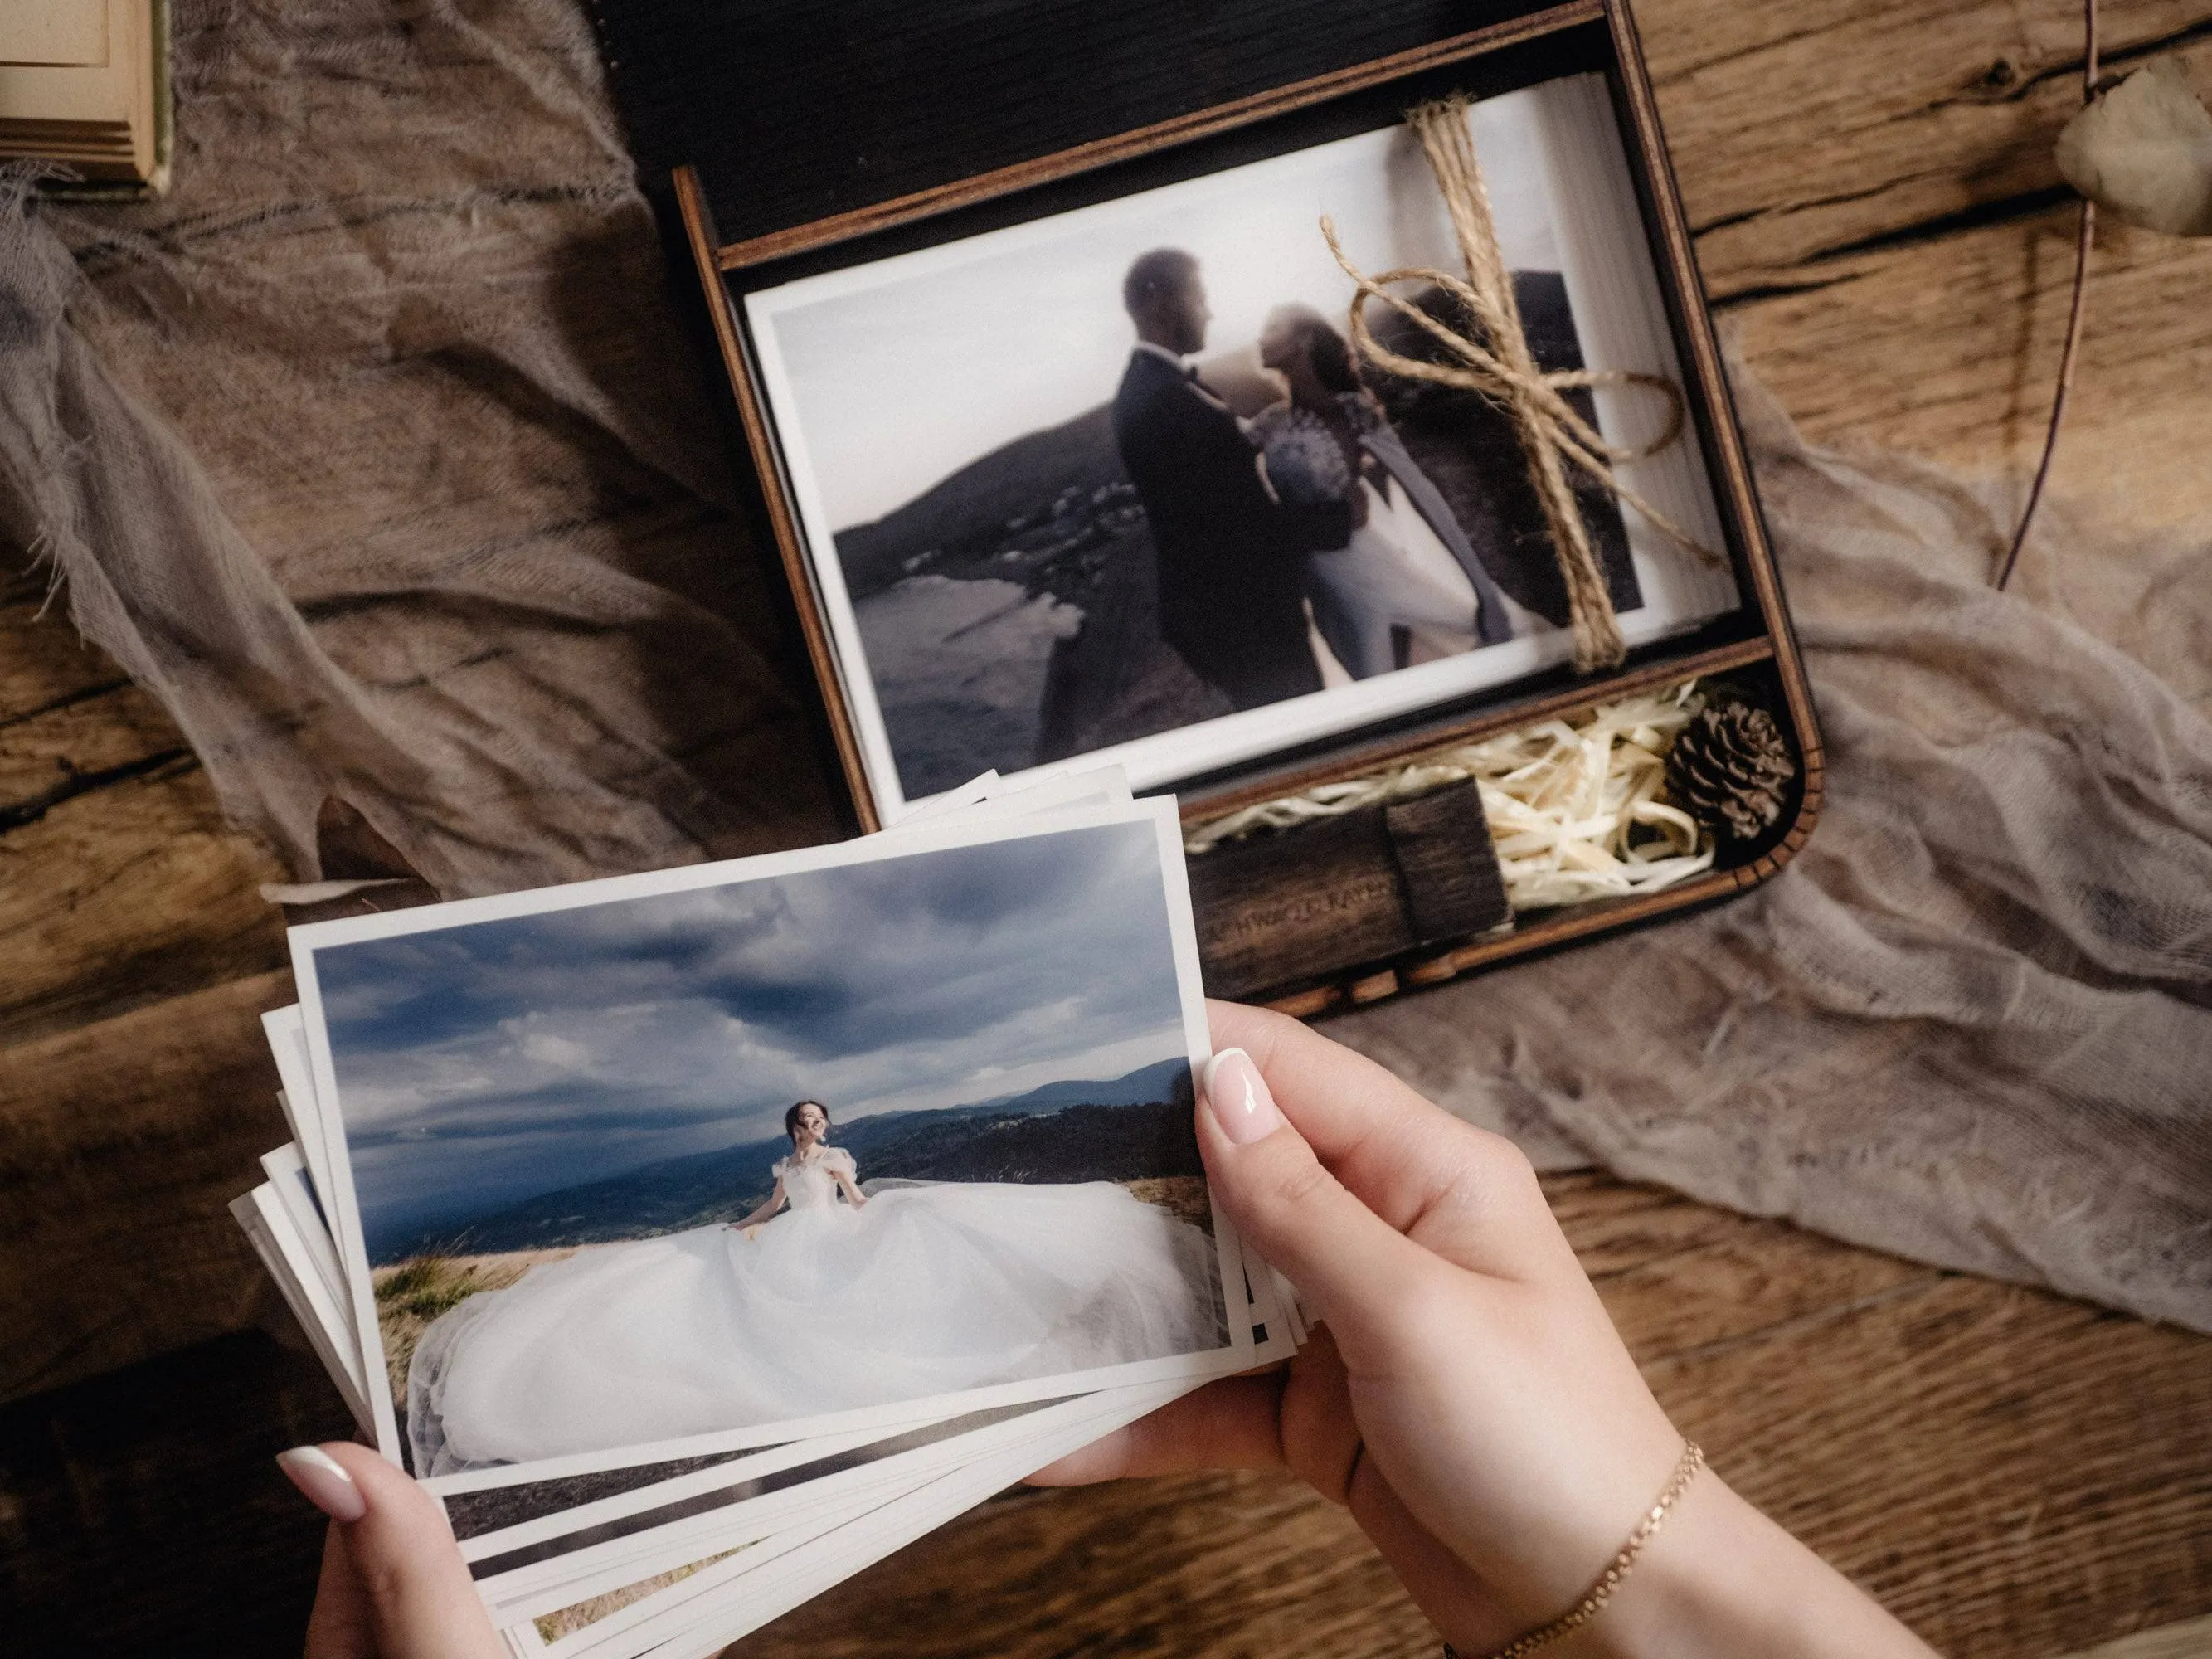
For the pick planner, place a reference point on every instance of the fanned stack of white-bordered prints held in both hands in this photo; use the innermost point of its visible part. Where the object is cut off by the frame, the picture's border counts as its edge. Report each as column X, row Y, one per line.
column 705, row 1238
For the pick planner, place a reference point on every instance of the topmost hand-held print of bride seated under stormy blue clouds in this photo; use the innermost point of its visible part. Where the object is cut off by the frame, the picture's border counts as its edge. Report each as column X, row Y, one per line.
column 828, row 1140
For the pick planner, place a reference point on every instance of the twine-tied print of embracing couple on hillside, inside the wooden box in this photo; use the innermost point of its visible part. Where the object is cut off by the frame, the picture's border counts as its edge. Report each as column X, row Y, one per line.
column 1118, row 481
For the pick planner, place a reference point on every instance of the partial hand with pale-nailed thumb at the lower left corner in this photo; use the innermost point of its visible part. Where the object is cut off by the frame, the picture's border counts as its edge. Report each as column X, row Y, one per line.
column 393, row 1585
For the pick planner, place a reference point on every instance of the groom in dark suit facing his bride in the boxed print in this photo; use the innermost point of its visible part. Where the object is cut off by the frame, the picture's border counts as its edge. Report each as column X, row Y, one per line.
column 1231, row 554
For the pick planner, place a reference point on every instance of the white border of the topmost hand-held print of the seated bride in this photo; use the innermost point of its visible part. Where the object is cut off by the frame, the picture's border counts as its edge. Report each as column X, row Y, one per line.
column 346, row 1213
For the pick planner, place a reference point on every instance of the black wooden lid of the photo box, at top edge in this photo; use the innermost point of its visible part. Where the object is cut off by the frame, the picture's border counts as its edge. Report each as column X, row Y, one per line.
column 804, row 109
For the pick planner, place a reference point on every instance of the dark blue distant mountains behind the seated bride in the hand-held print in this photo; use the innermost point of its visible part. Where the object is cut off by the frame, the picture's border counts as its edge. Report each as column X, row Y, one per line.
column 1118, row 1129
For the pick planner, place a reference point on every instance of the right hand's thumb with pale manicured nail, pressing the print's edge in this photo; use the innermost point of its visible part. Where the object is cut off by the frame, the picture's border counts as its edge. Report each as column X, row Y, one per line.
column 1344, row 1258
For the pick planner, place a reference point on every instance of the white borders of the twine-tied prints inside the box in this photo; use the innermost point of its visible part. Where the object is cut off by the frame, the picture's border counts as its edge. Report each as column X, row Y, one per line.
column 1620, row 320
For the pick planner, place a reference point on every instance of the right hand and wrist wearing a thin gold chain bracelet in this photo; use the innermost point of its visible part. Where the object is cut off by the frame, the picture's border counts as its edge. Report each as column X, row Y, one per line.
column 1468, row 1399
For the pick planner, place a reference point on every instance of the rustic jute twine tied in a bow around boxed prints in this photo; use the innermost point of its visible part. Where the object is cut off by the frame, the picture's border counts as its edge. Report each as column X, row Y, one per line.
column 1505, row 373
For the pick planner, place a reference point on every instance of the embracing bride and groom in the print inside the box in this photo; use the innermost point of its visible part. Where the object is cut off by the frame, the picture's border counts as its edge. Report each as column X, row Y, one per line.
column 1311, row 503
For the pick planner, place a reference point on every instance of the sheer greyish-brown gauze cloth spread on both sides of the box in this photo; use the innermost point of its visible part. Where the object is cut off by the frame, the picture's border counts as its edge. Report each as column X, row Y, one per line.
column 382, row 457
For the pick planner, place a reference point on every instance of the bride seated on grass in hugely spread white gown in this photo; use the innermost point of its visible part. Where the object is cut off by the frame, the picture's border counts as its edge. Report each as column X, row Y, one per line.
column 844, row 1302
